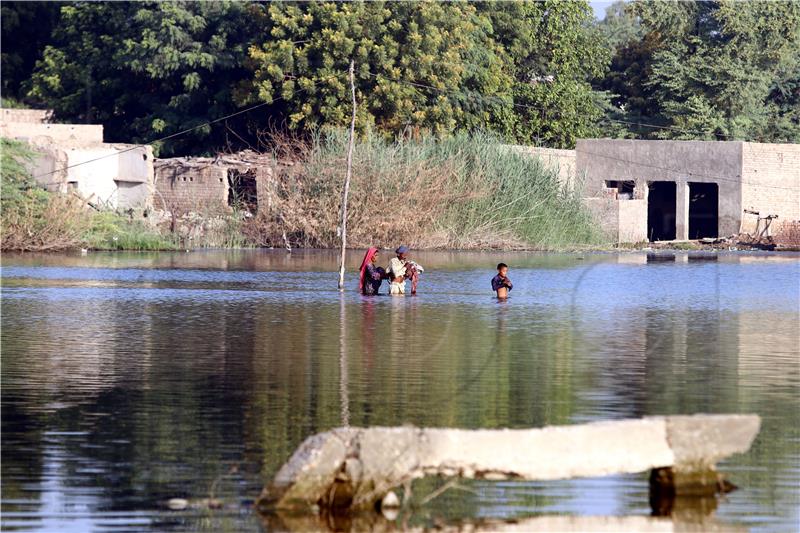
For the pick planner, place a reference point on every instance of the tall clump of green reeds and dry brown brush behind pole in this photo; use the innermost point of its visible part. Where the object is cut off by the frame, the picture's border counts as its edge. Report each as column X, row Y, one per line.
column 465, row 192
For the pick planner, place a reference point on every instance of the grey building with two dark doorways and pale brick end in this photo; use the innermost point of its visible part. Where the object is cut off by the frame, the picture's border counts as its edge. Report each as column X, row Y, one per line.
column 679, row 190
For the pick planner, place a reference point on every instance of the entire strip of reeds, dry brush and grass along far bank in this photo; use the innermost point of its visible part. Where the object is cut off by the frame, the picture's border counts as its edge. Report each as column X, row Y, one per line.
column 462, row 191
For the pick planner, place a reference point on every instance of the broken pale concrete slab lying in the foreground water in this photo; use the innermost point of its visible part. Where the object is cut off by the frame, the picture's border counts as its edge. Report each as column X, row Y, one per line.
column 354, row 468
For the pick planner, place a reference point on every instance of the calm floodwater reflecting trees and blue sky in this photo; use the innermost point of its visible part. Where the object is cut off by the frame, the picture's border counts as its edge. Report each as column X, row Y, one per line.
column 130, row 379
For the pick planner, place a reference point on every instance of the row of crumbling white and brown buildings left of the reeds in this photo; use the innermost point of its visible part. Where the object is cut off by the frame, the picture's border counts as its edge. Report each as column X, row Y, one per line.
column 74, row 158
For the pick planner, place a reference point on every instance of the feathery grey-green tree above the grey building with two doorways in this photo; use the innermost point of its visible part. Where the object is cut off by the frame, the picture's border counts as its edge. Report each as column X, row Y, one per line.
column 712, row 69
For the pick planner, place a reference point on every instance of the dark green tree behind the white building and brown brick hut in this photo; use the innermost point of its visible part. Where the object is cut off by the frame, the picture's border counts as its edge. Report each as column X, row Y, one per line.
column 147, row 69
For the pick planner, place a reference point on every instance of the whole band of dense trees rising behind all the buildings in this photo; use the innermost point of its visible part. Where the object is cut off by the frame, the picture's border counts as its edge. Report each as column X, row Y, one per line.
column 532, row 72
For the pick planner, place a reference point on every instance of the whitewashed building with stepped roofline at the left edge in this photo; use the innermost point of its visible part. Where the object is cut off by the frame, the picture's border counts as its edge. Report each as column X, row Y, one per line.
column 73, row 157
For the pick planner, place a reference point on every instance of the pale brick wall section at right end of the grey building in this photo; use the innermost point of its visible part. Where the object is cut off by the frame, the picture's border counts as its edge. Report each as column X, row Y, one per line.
column 770, row 183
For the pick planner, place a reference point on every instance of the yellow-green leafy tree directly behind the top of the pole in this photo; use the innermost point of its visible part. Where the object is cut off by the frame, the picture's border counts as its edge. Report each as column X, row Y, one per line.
column 419, row 65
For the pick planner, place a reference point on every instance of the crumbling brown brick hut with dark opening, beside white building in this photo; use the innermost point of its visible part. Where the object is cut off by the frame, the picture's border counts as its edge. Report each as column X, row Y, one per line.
column 214, row 185
